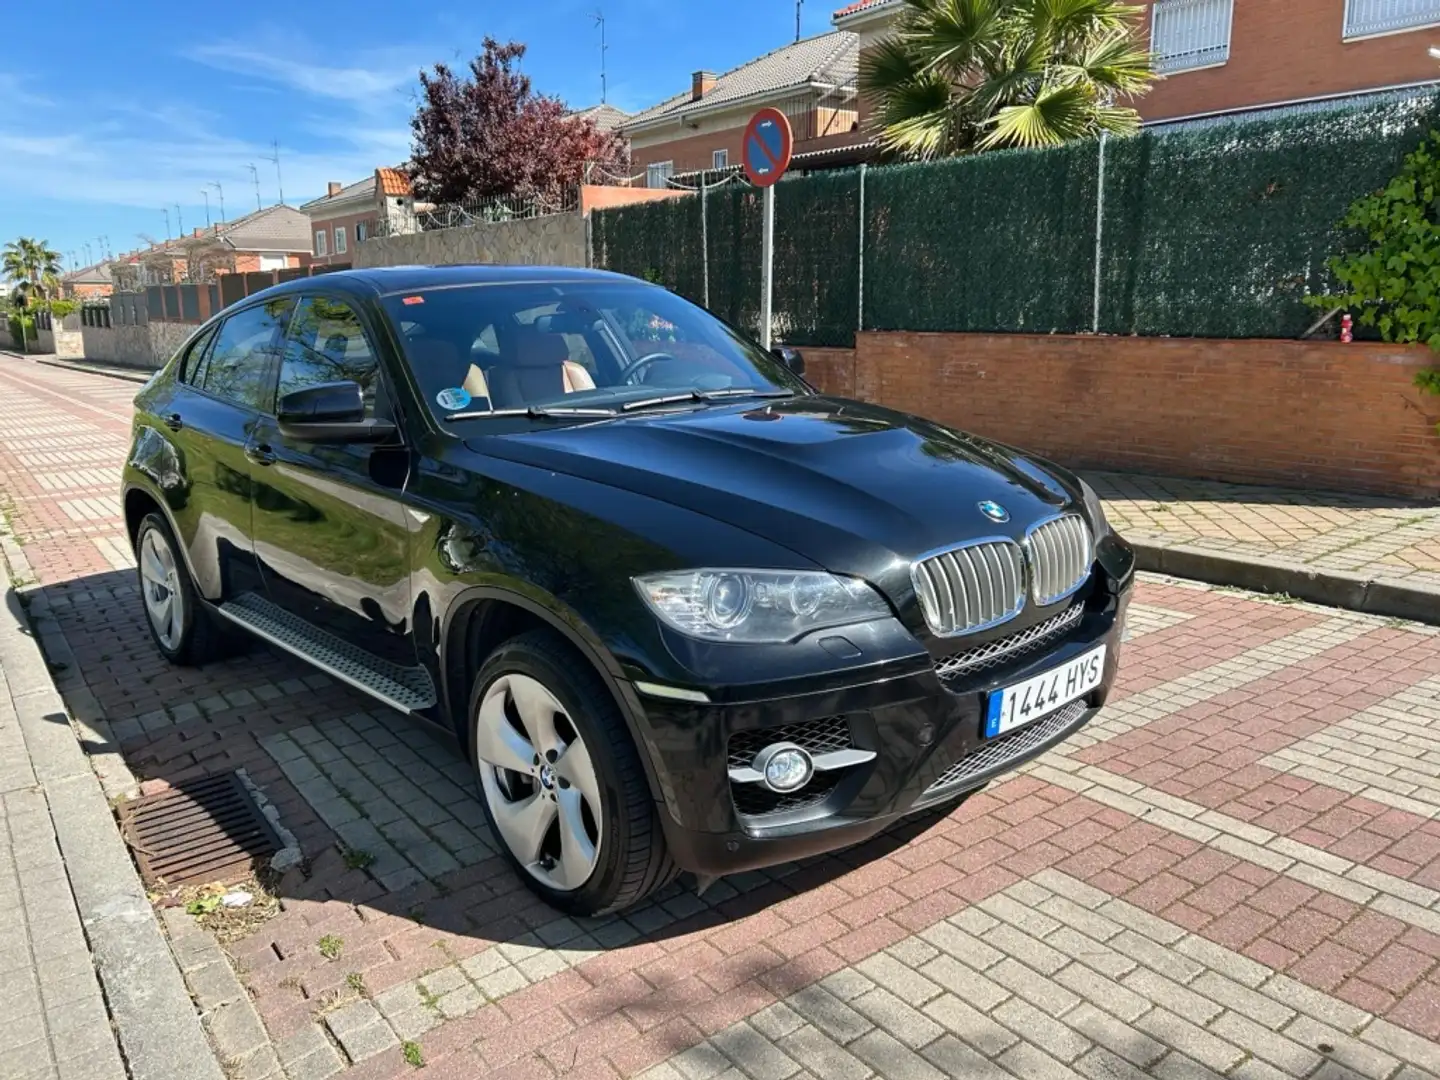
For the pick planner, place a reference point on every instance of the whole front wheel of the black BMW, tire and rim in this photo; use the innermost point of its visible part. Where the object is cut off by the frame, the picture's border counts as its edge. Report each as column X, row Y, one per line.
column 561, row 780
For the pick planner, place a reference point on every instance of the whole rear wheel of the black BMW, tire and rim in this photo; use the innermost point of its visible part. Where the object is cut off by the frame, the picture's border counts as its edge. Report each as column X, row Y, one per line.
column 181, row 626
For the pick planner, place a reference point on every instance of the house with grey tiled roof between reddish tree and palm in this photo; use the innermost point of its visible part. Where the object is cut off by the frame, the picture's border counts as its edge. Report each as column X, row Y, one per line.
column 813, row 83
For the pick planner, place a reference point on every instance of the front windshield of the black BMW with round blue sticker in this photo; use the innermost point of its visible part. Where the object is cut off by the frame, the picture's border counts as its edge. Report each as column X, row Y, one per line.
column 574, row 349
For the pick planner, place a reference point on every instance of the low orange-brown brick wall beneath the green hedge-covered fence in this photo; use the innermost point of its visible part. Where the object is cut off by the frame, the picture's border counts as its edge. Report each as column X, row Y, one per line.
column 1321, row 415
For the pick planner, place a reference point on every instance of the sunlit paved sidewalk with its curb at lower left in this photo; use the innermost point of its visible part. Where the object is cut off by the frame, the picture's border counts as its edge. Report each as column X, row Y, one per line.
column 87, row 980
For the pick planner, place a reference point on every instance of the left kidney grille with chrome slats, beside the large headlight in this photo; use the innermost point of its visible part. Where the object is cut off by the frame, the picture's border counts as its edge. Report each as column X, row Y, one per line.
column 970, row 588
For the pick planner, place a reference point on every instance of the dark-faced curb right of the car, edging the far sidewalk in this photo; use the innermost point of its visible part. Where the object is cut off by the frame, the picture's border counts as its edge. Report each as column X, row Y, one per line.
column 1330, row 588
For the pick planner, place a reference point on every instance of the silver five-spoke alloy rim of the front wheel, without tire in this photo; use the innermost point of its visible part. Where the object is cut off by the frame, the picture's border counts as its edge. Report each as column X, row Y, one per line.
column 539, row 781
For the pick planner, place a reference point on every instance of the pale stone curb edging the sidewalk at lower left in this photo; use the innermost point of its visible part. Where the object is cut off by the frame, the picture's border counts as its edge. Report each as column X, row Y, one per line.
column 149, row 1003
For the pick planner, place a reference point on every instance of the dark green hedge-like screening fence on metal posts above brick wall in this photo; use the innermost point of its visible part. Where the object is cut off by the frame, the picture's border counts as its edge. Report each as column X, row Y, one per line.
column 1209, row 231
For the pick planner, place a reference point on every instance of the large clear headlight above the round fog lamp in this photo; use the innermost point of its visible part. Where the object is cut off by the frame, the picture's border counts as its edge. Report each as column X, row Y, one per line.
column 757, row 607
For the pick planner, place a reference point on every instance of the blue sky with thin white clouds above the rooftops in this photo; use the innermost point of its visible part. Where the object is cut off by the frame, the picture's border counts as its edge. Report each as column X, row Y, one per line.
column 112, row 112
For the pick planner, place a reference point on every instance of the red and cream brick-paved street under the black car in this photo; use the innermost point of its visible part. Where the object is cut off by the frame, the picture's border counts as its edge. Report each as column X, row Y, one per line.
column 1235, row 872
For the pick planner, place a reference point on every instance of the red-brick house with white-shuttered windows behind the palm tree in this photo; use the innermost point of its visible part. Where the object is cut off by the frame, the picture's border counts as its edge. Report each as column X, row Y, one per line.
column 1230, row 55
